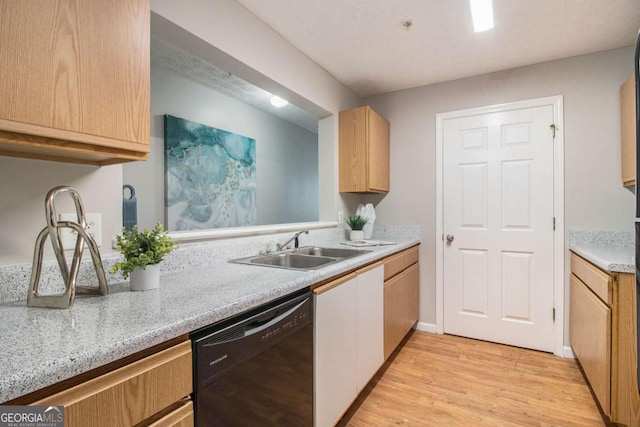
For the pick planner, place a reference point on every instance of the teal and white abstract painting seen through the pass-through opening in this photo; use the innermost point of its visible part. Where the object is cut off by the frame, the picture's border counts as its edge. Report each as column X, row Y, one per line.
column 210, row 177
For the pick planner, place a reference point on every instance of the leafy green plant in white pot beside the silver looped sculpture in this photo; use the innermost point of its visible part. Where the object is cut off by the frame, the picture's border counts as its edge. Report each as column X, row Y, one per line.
column 142, row 251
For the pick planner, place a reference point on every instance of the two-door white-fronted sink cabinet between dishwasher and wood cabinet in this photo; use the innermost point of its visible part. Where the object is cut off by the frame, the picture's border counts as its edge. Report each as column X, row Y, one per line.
column 348, row 340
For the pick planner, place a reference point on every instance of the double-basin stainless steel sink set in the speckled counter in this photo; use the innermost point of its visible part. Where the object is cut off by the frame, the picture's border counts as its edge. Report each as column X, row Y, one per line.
column 303, row 259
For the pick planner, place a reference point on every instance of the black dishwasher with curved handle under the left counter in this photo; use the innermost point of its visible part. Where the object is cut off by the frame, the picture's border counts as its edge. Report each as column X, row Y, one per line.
column 256, row 369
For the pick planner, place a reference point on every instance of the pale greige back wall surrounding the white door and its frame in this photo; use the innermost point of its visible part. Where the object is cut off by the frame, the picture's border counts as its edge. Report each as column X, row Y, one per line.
column 594, row 196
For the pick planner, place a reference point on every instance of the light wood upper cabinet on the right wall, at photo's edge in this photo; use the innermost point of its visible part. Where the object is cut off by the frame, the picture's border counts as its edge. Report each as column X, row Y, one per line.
column 628, row 132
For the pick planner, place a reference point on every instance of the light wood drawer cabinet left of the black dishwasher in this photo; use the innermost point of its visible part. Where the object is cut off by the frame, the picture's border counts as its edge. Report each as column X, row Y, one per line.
column 133, row 393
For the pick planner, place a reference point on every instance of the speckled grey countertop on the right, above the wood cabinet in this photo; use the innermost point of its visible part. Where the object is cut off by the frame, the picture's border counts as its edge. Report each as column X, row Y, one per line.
column 610, row 250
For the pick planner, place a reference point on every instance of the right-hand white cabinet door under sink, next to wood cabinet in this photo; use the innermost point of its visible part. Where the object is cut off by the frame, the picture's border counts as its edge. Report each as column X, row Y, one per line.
column 370, row 324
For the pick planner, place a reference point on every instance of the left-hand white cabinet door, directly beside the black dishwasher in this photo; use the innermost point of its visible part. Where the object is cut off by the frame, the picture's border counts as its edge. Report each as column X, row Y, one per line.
column 334, row 351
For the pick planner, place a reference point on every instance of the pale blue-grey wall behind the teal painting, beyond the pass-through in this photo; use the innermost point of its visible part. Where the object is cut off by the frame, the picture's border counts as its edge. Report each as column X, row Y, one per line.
column 285, row 152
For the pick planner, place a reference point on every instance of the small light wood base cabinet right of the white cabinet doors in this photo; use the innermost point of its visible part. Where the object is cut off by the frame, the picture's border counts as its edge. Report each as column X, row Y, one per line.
column 401, row 297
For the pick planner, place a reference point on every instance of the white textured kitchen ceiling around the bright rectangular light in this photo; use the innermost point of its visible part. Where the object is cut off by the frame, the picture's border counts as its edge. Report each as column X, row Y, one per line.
column 364, row 44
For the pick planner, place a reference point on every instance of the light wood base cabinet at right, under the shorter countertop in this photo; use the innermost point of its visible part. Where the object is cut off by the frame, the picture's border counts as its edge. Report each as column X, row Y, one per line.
column 602, row 332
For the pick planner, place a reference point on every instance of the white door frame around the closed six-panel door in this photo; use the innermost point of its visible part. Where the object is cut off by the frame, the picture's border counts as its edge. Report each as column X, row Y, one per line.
column 558, row 206
